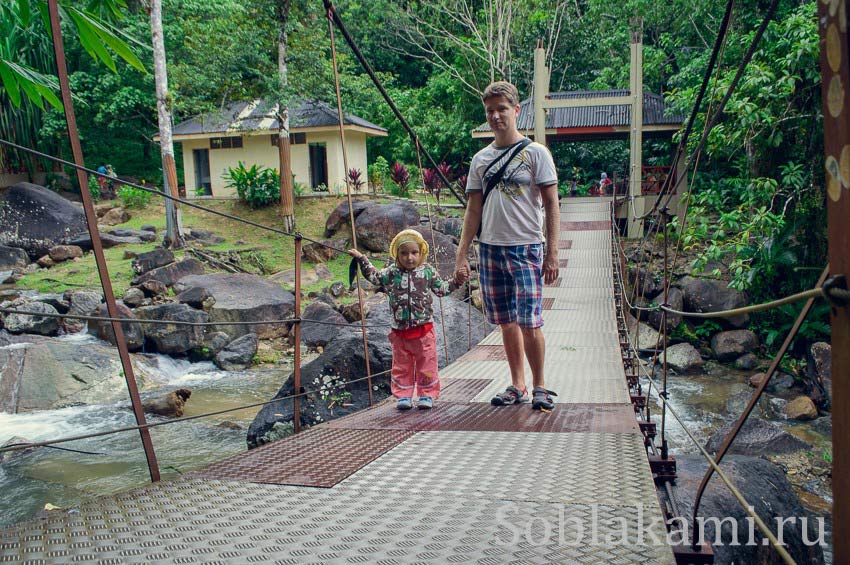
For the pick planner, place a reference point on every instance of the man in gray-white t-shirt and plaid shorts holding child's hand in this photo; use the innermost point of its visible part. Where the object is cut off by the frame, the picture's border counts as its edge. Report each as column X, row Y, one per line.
column 513, row 262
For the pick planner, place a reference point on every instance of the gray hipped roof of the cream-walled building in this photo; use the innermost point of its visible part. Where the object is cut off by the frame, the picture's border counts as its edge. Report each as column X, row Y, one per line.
column 260, row 115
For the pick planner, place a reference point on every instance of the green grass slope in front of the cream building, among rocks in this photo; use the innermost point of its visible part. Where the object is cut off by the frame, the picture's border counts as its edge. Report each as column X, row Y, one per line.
column 273, row 251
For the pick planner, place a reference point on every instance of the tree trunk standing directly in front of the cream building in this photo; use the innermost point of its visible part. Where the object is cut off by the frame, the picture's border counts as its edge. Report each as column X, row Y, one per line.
column 286, row 193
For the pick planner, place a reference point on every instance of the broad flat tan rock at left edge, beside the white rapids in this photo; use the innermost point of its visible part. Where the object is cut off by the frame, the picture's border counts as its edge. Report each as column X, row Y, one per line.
column 48, row 373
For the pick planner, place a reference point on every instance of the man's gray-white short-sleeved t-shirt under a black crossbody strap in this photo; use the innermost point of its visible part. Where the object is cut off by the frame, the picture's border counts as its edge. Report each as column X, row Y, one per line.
column 513, row 209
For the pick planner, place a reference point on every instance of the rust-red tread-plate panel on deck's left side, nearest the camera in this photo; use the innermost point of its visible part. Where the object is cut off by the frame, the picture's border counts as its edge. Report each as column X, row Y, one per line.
column 318, row 458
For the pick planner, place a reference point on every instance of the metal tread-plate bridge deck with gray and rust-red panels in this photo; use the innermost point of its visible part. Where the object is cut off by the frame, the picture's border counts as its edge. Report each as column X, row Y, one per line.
column 463, row 482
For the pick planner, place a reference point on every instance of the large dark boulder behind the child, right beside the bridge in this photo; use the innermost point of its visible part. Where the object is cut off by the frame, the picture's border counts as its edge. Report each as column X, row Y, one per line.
column 343, row 360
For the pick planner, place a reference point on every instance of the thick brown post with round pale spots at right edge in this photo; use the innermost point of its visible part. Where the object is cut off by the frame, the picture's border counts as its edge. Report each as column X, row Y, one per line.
column 835, row 74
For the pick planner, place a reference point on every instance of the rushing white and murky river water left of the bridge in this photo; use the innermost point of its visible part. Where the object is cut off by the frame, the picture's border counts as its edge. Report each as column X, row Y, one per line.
column 49, row 476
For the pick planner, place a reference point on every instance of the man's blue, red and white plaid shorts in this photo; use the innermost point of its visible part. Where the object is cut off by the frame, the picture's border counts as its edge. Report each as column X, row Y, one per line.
column 512, row 283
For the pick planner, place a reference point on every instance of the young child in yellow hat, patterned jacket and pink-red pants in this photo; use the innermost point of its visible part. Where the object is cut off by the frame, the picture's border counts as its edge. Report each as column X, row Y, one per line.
column 409, row 283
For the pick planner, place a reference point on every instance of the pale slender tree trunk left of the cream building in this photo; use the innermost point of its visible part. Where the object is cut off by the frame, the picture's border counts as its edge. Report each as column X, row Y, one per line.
column 173, row 235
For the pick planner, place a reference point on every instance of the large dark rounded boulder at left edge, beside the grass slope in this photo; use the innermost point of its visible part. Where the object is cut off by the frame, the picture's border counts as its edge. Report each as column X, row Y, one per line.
column 35, row 219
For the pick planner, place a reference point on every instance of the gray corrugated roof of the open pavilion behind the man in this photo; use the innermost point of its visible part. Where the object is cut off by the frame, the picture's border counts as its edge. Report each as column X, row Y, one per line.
column 655, row 112
